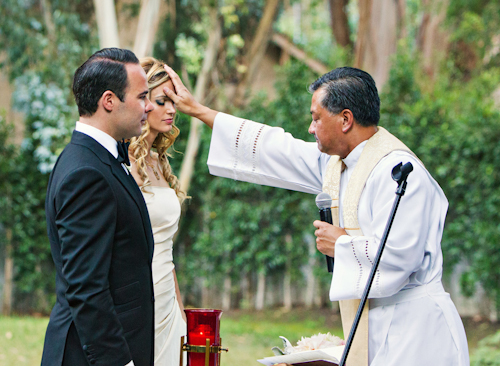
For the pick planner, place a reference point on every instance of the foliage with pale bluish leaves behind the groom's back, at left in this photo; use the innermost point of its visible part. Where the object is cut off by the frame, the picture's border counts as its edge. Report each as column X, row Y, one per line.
column 41, row 54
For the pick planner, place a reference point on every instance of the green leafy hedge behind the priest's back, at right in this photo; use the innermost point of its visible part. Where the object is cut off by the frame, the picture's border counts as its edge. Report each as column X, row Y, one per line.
column 454, row 128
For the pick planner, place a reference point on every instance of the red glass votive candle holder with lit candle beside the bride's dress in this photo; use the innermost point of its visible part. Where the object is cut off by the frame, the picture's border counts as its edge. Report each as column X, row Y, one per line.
column 203, row 324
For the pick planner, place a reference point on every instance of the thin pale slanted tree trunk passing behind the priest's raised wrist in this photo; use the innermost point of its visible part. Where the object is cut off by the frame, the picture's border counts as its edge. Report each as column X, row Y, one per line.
column 199, row 94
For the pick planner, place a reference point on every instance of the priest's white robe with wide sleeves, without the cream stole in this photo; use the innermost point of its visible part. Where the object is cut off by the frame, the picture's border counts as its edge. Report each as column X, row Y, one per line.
column 412, row 321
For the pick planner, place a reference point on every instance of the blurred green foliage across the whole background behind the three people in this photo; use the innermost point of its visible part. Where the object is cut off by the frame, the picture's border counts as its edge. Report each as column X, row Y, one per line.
column 232, row 229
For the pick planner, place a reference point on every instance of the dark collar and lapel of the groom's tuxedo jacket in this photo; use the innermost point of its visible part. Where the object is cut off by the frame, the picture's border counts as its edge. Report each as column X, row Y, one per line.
column 125, row 179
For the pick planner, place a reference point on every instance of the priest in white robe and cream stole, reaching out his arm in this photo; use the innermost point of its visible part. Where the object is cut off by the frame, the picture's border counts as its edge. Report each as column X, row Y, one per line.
column 409, row 318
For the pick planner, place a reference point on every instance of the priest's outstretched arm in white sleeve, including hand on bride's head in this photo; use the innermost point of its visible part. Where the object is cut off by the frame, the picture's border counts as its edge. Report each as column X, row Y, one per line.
column 253, row 152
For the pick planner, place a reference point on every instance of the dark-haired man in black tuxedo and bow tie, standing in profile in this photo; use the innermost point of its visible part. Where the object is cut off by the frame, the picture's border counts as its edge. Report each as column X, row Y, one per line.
column 98, row 225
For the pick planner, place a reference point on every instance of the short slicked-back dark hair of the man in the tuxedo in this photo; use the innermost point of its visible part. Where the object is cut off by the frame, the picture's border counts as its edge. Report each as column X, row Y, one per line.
column 104, row 70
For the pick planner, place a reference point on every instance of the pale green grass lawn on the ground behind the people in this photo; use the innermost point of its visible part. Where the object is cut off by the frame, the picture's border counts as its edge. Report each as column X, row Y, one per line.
column 248, row 335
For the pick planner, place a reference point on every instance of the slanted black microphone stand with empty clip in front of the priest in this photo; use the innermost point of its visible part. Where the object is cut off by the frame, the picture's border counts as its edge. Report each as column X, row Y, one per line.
column 399, row 174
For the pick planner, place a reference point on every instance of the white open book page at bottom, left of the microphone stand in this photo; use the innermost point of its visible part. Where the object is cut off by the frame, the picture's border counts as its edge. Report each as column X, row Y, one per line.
column 332, row 355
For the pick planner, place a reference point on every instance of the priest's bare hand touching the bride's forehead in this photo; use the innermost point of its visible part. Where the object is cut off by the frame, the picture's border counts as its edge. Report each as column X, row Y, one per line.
column 184, row 100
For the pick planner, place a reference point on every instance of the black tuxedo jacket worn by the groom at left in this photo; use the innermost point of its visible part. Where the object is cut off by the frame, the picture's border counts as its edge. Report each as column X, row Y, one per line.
column 102, row 245
